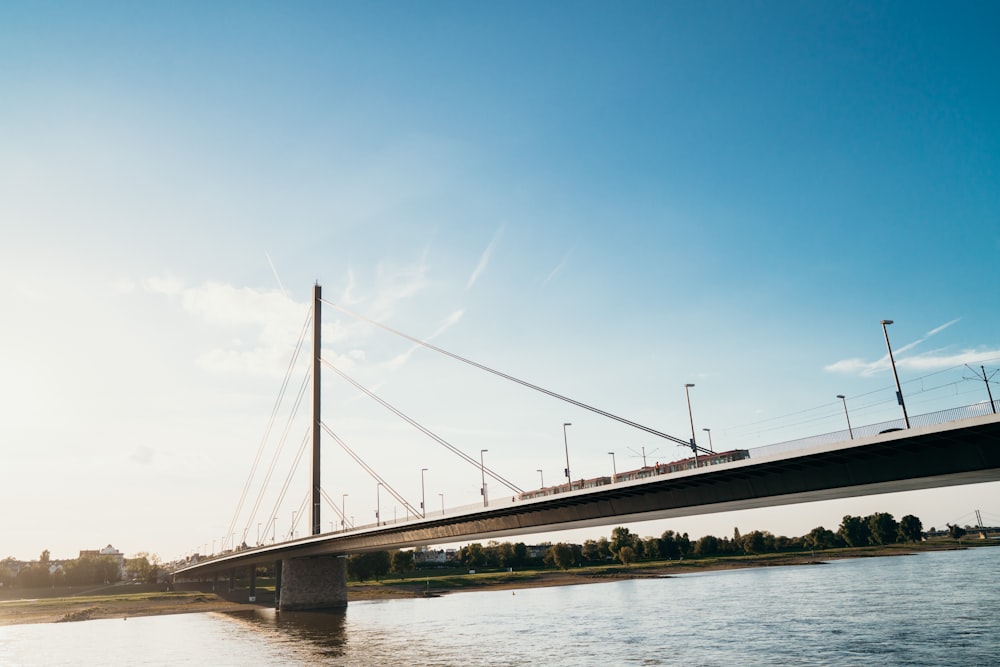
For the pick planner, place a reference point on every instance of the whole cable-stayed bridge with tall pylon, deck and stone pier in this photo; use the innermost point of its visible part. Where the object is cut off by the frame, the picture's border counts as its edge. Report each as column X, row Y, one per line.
column 311, row 571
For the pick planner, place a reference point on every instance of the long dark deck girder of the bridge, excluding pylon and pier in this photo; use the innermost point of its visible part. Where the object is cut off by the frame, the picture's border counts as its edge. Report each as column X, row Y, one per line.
column 966, row 453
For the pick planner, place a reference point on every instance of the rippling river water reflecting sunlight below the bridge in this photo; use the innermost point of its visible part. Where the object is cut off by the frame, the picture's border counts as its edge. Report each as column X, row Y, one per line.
column 936, row 608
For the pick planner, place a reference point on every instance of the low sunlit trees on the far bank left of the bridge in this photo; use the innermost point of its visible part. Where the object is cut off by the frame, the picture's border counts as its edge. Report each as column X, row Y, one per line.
column 83, row 571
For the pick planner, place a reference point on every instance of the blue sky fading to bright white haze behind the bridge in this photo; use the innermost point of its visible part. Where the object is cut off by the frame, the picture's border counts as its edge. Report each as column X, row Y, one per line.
column 608, row 200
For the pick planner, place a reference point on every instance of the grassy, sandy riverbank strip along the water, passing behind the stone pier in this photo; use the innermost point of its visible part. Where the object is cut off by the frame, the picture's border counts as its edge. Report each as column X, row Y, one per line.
column 46, row 606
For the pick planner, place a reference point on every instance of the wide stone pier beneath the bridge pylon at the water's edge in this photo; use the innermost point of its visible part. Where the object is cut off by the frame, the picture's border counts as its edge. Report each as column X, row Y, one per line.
column 313, row 583
